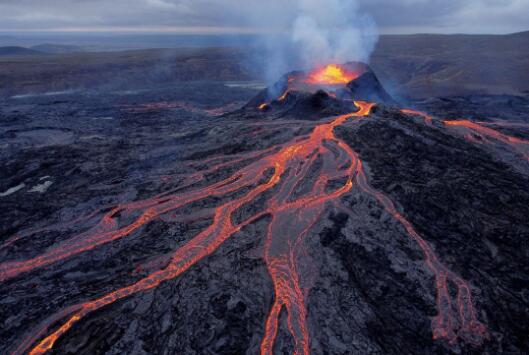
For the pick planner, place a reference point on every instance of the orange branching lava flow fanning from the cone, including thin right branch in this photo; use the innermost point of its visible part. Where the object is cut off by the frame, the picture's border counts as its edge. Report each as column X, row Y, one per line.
column 292, row 220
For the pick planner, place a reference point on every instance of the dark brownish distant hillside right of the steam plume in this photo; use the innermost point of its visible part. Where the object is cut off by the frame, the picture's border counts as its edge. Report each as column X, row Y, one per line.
column 421, row 66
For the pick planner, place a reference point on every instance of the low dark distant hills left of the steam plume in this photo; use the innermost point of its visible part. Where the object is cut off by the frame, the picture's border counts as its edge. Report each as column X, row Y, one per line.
column 130, row 69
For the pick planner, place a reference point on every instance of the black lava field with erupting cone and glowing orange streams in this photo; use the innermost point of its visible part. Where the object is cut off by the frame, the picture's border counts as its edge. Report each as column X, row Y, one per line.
column 306, row 222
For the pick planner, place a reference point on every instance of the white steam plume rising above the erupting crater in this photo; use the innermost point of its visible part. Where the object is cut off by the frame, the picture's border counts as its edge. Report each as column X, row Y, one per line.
column 315, row 32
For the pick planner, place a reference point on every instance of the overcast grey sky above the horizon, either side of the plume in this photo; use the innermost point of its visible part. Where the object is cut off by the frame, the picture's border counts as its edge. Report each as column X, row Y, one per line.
column 249, row 16
